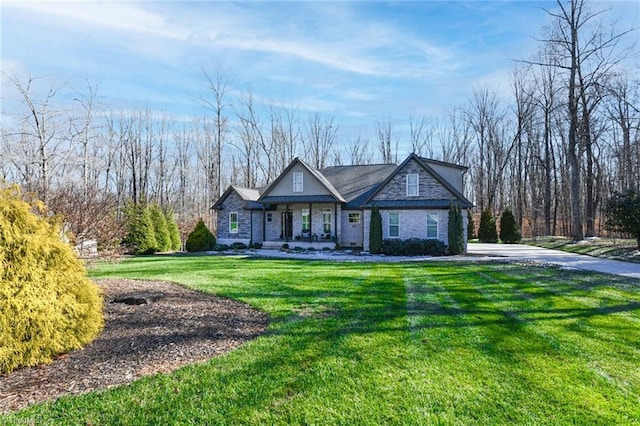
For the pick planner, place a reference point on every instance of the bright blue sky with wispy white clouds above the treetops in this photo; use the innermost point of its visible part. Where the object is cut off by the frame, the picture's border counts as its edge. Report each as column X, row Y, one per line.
column 357, row 61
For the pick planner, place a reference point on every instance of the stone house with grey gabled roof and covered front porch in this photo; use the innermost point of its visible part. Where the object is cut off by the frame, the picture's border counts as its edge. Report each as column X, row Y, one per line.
column 306, row 207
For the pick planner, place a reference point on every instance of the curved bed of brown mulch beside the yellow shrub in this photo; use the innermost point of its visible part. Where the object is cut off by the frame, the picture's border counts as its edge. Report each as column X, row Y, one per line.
column 182, row 327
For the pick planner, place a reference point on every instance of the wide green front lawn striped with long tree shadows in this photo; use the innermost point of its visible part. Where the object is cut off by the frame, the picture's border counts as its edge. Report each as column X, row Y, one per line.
column 413, row 343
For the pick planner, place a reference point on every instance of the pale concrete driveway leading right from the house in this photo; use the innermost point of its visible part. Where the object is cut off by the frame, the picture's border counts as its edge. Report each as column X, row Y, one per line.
column 556, row 257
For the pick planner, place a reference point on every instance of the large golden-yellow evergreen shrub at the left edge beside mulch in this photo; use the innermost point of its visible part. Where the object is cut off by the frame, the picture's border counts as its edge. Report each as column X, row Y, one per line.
column 47, row 304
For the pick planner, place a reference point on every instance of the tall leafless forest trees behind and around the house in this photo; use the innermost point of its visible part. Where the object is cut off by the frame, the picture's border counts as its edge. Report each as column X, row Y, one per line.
column 553, row 151
